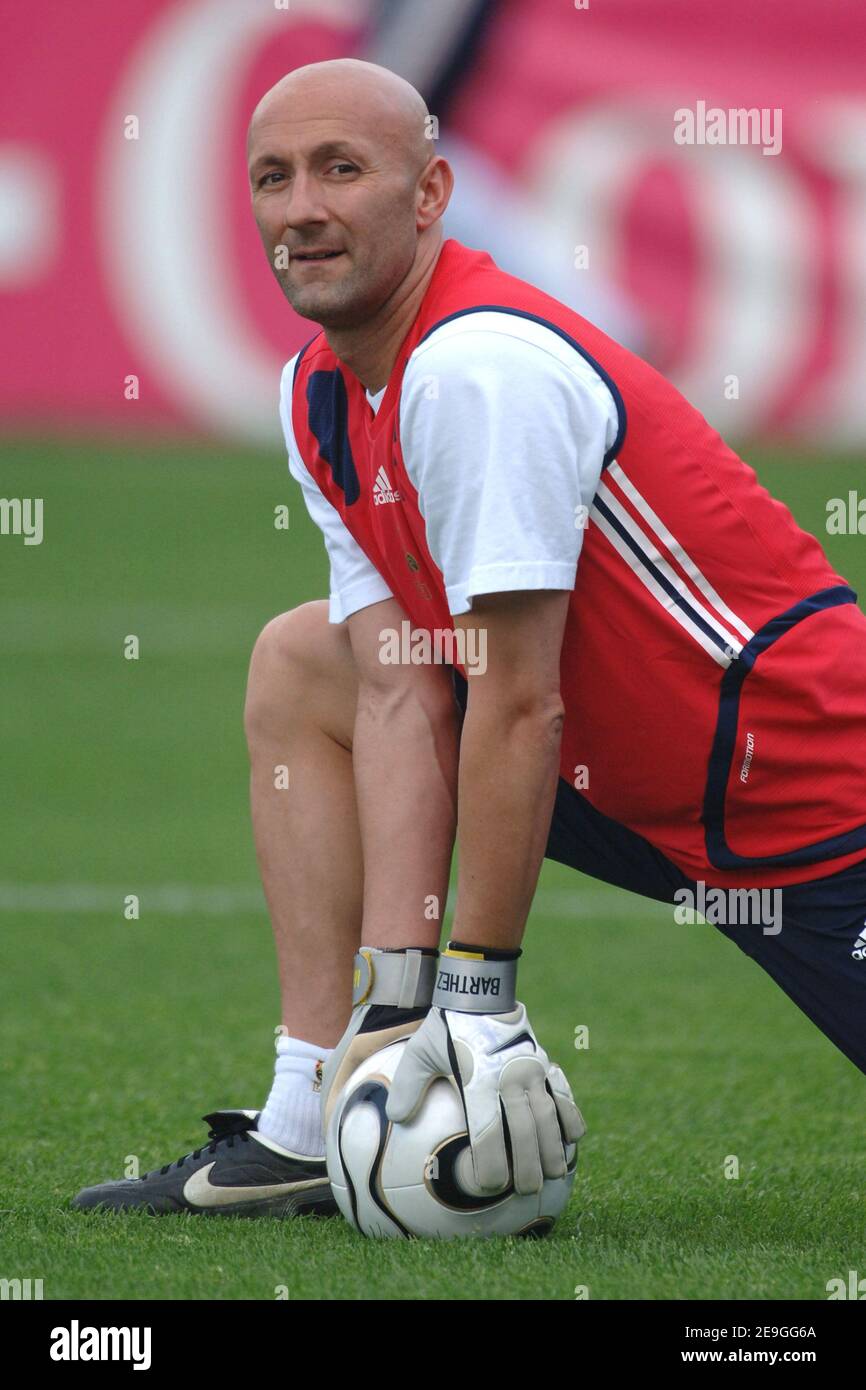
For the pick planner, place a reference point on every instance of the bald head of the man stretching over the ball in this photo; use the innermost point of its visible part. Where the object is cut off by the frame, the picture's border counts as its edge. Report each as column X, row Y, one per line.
column 348, row 188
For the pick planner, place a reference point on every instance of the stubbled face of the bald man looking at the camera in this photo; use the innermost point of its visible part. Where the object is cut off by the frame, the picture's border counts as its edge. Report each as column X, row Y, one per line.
column 320, row 186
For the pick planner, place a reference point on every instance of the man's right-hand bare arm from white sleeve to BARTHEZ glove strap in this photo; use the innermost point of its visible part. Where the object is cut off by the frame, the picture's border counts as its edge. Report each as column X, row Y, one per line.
column 509, row 764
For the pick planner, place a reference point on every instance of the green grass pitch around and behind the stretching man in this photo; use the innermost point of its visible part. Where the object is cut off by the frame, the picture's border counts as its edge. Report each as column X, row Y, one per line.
column 130, row 778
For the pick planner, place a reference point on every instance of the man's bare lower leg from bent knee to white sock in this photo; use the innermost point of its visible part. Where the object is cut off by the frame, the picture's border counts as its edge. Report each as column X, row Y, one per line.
column 300, row 715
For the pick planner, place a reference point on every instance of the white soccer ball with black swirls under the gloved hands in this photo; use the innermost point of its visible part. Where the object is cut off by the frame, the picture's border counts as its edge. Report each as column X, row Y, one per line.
column 416, row 1178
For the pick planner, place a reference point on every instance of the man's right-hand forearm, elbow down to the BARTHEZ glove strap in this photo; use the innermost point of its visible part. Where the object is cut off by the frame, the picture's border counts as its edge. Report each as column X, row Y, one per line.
column 509, row 768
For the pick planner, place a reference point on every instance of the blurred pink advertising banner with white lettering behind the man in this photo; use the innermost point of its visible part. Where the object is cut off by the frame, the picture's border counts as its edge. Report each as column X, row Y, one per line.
column 694, row 170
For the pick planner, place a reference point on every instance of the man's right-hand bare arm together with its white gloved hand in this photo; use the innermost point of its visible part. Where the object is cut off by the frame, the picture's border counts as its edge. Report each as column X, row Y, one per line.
column 519, row 1109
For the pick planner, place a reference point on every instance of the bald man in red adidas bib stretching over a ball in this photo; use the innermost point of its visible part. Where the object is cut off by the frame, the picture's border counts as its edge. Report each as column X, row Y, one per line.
column 662, row 679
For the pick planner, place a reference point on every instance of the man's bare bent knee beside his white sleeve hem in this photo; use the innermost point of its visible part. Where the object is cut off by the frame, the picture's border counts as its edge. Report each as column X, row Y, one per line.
column 300, row 658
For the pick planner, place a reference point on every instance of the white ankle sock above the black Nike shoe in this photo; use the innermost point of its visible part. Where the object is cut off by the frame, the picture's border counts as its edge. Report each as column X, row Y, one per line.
column 293, row 1111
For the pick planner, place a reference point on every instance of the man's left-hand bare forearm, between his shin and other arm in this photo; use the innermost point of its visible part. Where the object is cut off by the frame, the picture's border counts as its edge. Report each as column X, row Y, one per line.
column 405, row 754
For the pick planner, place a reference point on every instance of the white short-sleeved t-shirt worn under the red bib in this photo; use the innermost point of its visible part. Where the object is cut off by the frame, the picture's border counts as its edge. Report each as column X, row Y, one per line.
column 504, row 430
